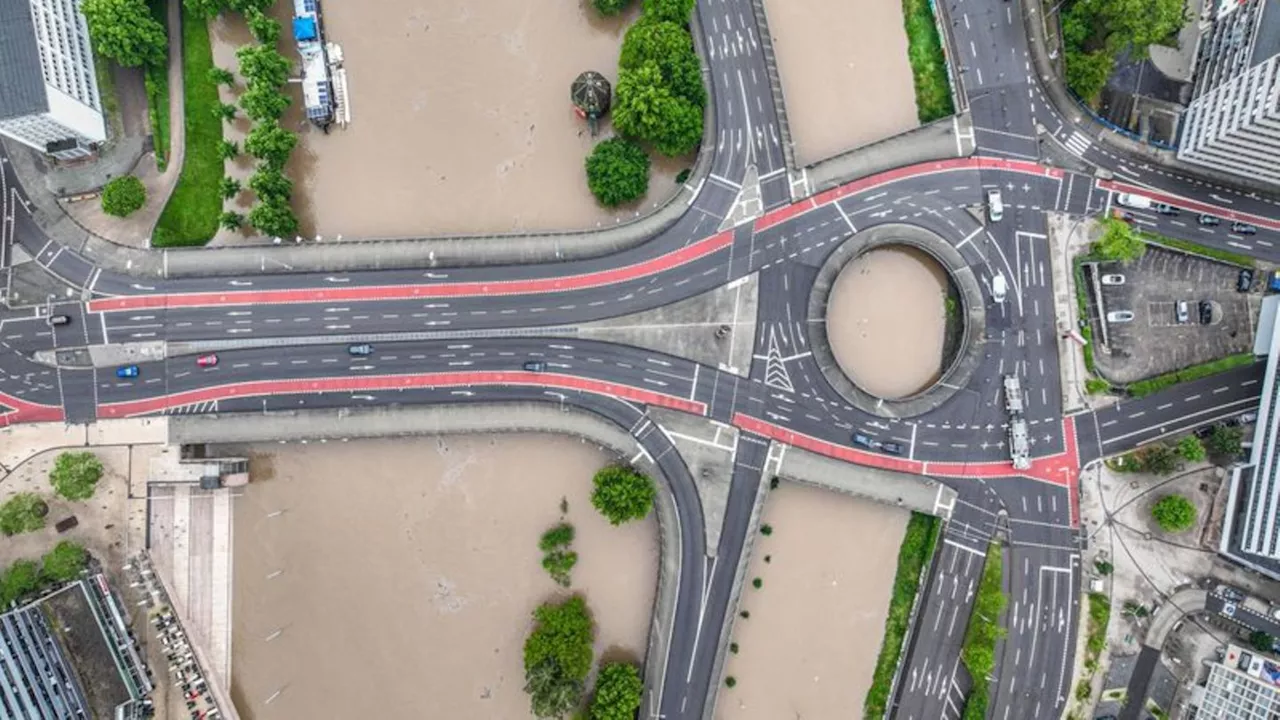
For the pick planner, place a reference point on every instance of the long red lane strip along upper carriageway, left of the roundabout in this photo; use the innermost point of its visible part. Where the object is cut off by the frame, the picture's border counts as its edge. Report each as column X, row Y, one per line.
column 600, row 279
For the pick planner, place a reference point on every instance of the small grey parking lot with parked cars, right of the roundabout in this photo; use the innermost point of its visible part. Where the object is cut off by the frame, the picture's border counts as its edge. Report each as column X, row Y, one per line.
column 1155, row 340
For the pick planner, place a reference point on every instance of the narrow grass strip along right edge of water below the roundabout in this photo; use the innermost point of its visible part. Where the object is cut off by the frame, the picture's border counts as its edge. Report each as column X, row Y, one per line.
column 918, row 544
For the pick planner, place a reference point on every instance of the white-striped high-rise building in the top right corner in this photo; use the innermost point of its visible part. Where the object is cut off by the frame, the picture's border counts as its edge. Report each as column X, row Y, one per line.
column 1233, row 121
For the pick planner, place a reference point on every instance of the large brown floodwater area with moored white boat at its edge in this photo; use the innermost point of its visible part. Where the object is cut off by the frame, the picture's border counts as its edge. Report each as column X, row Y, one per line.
column 461, row 121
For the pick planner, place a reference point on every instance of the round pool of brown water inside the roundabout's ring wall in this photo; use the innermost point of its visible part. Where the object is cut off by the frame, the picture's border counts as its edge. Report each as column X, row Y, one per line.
column 886, row 321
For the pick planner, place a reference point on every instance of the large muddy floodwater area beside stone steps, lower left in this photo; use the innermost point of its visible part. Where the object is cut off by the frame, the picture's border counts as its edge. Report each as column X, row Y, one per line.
column 409, row 571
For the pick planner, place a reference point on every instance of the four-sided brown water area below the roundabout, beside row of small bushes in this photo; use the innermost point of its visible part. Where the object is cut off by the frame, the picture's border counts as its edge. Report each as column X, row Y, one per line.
column 811, row 645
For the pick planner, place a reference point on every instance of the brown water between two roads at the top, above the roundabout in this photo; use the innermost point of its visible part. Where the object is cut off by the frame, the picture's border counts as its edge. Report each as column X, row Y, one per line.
column 845, row 74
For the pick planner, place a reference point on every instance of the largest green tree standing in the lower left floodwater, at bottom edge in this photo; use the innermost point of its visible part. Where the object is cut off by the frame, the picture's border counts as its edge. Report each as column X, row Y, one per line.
column 559, row 657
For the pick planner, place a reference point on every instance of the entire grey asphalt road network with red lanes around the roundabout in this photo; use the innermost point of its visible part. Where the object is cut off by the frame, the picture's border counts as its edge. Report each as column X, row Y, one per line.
column 461, row 335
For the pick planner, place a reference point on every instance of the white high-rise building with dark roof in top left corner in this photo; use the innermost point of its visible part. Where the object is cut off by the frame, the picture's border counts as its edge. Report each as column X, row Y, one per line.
column 48, row 90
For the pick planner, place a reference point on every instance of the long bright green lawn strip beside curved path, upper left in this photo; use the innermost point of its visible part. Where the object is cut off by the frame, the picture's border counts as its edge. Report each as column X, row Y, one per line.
column 191, row 216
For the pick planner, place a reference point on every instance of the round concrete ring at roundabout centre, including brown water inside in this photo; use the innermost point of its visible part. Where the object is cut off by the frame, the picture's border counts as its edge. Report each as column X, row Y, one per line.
column 895, row 321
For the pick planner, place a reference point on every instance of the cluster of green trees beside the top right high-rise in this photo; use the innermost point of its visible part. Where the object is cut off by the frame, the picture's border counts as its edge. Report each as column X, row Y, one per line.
column 1096, row 33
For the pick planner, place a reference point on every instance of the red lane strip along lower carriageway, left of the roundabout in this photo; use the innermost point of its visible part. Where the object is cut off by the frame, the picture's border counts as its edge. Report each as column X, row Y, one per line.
column 418, row 381
